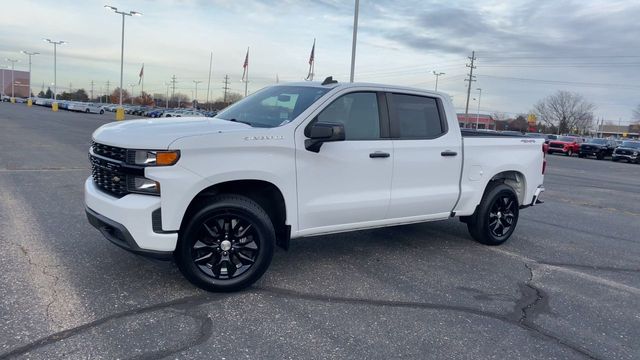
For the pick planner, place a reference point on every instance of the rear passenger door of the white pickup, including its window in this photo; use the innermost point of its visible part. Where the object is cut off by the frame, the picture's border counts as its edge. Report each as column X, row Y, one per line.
column 427, row 158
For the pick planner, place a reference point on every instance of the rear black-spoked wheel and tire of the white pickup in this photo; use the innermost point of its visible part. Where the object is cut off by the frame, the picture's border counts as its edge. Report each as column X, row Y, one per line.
column 496, row 217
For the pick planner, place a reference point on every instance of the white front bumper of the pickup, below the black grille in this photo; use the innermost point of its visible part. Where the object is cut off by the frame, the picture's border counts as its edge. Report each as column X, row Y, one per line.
column 127, row 221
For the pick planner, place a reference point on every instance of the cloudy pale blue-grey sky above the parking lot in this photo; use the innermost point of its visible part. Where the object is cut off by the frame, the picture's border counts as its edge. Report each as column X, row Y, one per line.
column 526, row 49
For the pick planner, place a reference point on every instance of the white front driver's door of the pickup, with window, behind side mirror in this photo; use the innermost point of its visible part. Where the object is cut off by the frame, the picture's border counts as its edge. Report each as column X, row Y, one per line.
column 347, row 184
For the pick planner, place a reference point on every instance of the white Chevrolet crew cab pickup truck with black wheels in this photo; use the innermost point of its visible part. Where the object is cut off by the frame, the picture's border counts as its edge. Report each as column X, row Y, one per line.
column 297, row 160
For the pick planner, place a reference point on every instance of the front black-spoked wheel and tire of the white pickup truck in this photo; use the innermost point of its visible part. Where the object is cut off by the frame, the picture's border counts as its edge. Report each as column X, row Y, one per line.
column 227, row 245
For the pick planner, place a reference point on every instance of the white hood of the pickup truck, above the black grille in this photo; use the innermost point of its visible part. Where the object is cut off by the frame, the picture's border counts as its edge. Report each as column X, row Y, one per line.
column 159, row 133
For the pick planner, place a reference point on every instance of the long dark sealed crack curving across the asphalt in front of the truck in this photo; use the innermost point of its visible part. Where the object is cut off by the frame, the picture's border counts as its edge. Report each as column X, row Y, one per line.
column 531, row 306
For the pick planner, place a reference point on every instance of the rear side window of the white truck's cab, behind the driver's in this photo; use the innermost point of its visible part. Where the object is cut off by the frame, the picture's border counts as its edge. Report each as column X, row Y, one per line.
column 416, row 117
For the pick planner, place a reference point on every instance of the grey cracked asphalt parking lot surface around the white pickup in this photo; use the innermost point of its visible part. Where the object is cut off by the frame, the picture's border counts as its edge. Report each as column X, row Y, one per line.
column 566, row 285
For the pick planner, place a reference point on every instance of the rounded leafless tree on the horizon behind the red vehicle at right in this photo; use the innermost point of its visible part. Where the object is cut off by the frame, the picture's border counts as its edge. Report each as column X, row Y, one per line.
column 568, row 111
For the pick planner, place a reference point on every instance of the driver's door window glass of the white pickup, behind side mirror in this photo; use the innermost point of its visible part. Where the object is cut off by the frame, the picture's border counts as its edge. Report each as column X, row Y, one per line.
column 358, row 112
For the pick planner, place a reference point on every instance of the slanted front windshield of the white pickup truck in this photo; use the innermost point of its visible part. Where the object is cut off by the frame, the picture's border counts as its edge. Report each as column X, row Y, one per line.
column 273, row 106
